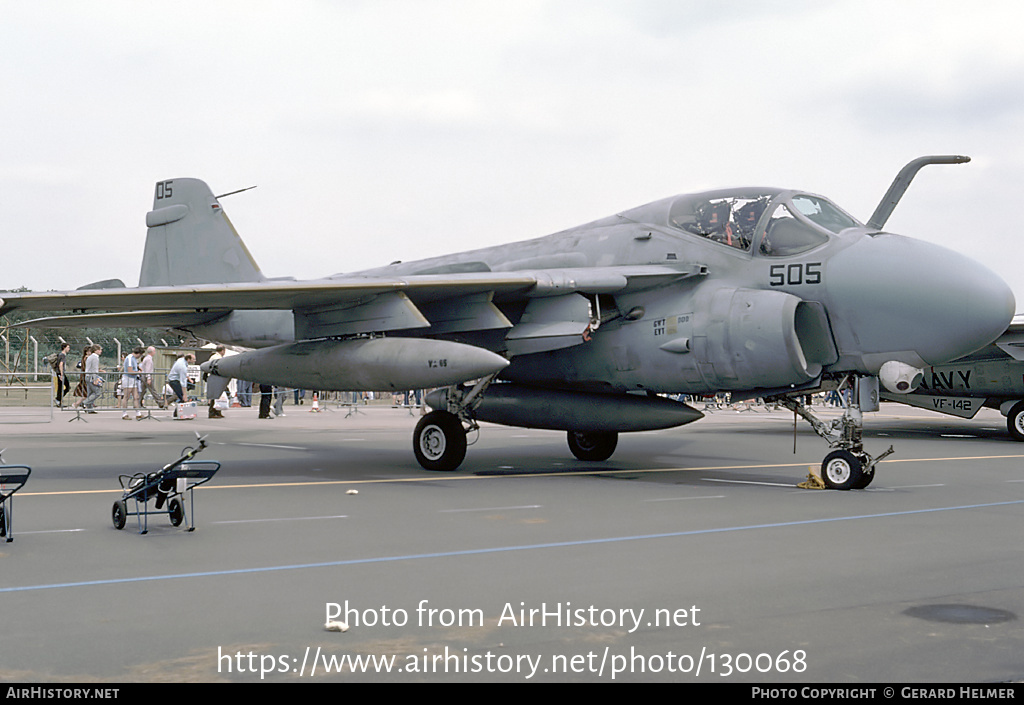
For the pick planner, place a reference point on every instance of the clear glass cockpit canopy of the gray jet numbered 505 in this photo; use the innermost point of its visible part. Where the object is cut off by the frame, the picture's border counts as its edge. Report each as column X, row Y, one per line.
column 781, row 223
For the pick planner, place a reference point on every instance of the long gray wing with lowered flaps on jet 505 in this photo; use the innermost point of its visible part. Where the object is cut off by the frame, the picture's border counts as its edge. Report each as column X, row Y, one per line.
column 345, row 306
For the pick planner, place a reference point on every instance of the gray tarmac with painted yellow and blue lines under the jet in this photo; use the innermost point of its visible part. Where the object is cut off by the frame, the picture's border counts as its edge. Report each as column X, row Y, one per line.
column 691, row 556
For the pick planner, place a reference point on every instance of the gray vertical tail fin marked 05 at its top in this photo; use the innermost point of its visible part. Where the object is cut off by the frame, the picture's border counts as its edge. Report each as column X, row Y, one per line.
column 191, row 240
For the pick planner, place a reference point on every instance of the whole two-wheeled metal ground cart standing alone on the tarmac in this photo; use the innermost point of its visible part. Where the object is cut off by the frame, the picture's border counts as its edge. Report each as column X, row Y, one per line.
column 169, row 488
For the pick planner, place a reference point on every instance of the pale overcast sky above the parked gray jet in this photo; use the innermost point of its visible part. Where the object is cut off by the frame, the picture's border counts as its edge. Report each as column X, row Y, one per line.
column 399, row 130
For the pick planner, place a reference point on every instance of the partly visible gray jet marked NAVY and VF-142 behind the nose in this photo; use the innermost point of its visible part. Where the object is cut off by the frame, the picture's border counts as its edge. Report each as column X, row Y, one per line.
column 992, row 378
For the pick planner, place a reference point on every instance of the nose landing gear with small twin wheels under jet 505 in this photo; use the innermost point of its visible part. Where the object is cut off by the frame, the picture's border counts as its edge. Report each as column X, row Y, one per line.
column 848, row 467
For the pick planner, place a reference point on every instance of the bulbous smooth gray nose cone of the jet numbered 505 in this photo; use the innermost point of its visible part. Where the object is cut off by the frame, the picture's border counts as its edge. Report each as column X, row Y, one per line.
column 911, row 299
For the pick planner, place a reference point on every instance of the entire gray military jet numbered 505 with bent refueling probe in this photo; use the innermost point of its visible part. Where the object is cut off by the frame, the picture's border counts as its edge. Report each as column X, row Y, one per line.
column 760, row 293
